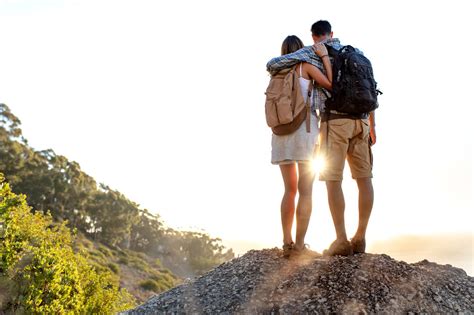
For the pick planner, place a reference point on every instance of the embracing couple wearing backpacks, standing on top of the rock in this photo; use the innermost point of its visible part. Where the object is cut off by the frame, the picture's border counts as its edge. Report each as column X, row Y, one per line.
column 342, row 134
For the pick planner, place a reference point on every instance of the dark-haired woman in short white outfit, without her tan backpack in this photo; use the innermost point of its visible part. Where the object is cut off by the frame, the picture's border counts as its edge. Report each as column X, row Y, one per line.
column 294, row 154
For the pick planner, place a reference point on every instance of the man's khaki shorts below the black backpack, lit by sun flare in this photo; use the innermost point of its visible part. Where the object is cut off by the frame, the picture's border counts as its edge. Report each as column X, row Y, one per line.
column 347, row 138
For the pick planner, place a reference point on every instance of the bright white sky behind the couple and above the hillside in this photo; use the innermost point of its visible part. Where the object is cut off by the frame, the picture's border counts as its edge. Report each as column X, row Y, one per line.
column 164, row 101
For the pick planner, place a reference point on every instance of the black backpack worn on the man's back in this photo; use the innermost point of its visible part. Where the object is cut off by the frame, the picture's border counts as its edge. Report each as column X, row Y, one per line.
column 354, row 90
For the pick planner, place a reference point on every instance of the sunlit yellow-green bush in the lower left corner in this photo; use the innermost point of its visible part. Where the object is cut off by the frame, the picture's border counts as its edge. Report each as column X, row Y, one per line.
column 41, row 270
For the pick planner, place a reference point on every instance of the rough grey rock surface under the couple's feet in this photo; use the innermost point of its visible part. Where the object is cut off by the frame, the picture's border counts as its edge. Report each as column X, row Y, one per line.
column 263, row 282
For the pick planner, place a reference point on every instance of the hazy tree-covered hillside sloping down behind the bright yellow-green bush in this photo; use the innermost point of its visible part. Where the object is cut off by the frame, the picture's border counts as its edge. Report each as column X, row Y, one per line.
column 129, row 244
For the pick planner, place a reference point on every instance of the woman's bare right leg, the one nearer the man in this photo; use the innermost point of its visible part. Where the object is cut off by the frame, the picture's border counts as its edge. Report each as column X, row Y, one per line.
column 305, row 204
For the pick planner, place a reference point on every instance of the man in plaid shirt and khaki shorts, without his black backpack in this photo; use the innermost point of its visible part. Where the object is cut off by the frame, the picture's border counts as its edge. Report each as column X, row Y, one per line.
column 342, row 136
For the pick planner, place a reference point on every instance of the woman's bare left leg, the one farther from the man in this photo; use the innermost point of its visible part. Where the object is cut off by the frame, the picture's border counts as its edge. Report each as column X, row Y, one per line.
column 290, row 179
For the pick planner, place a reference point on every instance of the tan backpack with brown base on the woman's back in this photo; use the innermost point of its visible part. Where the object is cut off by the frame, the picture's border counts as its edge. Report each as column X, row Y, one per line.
column 285, row 108
